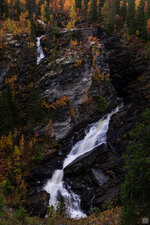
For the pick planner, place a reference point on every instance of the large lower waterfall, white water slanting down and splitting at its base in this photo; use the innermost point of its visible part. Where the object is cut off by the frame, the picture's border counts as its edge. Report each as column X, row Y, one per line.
column 95, row 136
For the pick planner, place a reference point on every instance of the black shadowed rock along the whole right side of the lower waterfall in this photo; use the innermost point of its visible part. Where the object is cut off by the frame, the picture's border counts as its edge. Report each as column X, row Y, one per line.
column 100, row 173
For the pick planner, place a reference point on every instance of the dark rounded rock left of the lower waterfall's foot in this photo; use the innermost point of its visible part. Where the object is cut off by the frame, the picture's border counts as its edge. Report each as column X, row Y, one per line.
column 37, row 203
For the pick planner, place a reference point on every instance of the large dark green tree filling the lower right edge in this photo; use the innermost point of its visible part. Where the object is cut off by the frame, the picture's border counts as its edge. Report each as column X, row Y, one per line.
column 135, row 190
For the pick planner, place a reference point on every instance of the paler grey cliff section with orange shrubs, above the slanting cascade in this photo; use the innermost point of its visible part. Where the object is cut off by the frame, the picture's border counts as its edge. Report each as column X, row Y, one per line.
column 71, row 74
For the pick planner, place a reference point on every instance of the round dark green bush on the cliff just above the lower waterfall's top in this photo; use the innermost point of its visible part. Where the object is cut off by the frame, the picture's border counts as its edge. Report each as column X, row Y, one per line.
column 101, row 103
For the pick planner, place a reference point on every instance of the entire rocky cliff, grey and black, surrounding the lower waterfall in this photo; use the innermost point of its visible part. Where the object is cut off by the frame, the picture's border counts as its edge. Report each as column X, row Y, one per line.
column 92, row 75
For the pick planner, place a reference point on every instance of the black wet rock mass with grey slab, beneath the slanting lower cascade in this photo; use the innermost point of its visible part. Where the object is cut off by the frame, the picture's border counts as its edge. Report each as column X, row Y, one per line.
column 96, row 177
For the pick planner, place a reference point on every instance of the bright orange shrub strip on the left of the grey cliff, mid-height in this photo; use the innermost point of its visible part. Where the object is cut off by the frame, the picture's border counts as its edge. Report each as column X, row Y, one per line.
column 56, row 104
